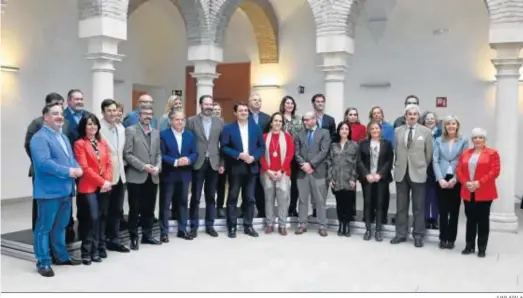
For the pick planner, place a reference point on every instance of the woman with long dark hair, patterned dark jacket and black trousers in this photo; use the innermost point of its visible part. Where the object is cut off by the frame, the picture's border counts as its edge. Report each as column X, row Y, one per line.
column 342, row 175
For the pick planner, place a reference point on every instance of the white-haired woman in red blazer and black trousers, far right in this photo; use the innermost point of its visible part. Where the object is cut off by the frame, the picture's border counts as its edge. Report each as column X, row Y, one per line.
column 477, row 170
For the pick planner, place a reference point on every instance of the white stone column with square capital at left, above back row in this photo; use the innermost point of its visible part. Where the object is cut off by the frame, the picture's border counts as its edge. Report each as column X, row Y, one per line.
column 103, row 34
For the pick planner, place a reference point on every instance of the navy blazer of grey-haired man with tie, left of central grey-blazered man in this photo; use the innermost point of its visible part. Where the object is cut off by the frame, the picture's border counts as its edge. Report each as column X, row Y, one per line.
column 170, row 153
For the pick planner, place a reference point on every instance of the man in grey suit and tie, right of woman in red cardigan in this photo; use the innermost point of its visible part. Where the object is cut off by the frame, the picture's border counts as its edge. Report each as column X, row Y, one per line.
column 312, row 147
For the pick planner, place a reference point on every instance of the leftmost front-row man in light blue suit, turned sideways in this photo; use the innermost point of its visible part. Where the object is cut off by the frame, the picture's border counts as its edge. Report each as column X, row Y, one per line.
column 55, row 171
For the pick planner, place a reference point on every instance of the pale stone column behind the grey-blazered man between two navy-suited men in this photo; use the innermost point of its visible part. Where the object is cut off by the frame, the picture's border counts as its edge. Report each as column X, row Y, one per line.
column 205, row 59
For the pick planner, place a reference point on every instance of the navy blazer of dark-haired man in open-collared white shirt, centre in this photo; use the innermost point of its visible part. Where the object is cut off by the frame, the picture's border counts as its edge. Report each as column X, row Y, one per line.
column 231, row 146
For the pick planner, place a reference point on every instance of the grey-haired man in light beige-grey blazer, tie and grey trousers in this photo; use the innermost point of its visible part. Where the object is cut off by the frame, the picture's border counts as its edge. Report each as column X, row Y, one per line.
column 413, row 149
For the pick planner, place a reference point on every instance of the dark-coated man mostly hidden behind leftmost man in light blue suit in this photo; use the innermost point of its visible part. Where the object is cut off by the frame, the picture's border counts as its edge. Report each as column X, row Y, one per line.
column 35, row 126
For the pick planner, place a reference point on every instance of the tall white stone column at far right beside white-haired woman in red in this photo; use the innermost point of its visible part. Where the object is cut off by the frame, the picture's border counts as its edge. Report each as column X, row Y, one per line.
column 507, row 64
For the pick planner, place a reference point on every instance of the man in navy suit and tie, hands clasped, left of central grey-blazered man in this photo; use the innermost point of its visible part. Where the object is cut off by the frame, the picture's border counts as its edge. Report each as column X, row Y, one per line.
column 179, row 153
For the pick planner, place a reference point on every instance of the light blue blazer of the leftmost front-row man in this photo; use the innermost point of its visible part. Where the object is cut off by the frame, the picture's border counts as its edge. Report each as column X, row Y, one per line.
column 51, row 165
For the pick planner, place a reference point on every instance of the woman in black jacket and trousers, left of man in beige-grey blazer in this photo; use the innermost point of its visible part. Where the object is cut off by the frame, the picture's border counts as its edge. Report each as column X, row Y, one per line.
column 374, row 166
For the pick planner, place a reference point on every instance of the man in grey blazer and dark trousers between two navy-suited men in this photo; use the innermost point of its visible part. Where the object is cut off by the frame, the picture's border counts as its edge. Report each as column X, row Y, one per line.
column 207, row 128
